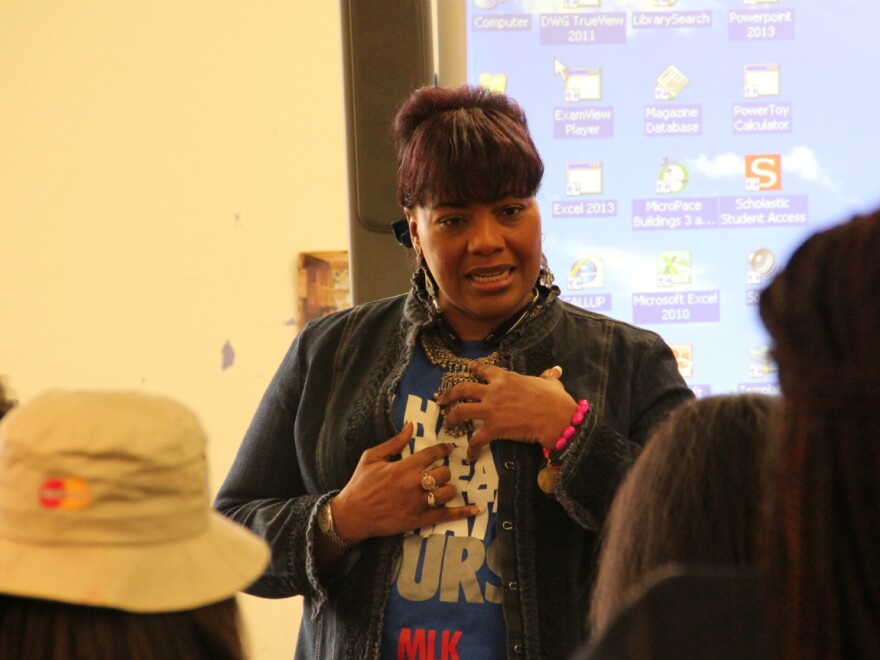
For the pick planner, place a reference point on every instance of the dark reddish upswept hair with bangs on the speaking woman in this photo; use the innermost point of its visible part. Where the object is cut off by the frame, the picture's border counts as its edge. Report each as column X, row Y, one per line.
column 463, row 145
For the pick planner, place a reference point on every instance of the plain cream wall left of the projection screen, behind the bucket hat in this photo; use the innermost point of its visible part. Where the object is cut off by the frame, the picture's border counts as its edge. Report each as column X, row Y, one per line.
column 162, row 164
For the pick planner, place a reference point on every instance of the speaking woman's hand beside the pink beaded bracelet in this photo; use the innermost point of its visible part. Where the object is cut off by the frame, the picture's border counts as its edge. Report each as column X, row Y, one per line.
column 511, row 407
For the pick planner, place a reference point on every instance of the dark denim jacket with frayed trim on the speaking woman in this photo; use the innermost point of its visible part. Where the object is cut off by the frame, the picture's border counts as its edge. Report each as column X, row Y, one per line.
column 331, row 399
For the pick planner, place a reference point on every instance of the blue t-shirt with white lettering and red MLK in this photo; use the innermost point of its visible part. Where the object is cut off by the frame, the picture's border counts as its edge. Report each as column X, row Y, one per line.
column 445, row 601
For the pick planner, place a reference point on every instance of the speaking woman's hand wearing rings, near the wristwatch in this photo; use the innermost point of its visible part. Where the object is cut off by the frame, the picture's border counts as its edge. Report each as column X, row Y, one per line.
column 386, row 498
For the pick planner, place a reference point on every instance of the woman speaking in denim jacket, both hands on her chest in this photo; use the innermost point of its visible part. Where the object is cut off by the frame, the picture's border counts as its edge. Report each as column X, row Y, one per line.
column 432, row 470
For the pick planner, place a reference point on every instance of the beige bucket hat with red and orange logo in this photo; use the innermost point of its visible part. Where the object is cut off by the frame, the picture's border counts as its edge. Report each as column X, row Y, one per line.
column 104, row 501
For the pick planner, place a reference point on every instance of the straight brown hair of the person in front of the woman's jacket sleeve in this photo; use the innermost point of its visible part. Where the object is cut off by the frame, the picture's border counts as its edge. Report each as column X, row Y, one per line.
column 691, row 497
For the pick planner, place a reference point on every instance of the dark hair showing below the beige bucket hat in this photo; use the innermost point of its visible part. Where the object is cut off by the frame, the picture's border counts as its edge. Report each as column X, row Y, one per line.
column 50, row 630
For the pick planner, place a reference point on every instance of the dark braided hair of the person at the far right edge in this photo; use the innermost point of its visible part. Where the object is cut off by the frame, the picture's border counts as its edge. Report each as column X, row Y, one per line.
column 821, row 537
